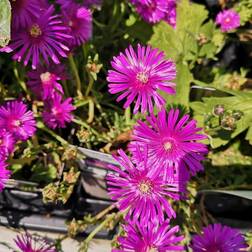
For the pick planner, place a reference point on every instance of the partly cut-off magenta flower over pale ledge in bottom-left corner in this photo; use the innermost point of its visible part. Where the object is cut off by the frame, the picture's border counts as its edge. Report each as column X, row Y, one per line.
column 27, row 243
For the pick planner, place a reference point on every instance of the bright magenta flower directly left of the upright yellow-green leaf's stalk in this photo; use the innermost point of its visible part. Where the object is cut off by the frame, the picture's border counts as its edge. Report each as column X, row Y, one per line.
column 140, row 75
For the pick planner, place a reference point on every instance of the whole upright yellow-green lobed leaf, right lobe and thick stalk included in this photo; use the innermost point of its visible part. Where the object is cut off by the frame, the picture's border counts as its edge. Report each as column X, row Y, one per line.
column 192, row 40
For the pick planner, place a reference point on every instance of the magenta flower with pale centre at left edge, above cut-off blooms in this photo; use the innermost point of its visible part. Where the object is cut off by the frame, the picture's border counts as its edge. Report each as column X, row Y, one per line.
column 17, row 120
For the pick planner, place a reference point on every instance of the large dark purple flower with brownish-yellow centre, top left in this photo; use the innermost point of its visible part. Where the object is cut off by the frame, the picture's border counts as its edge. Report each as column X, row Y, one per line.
column 45, row 37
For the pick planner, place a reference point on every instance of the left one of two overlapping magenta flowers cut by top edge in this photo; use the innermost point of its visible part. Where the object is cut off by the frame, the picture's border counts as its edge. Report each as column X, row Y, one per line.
column 151, row 11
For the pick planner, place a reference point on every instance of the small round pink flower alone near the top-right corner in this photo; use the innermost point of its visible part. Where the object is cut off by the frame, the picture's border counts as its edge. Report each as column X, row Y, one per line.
column 228, row 20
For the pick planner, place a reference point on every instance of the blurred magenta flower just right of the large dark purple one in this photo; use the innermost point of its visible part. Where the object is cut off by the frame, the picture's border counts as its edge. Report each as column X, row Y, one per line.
column 79, row 20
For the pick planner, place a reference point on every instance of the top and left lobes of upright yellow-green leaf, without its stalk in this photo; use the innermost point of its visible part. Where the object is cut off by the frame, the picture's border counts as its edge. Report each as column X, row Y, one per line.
column 181, row 42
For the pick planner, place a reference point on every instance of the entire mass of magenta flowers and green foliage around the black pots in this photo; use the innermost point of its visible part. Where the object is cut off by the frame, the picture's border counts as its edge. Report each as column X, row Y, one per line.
column 151, row 81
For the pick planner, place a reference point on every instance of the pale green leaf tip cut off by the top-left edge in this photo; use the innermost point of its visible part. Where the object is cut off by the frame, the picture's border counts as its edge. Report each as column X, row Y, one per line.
column 5, row 22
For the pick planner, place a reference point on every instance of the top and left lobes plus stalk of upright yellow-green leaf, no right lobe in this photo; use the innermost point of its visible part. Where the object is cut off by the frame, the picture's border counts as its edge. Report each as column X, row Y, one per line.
column 181, row 44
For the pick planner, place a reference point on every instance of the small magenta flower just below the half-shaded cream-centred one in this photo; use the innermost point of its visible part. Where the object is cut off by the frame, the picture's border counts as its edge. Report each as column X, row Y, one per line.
column 57, row 112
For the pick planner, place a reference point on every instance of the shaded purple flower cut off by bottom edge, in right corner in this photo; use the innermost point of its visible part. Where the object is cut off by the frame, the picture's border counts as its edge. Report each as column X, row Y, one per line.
column 218, row 238
